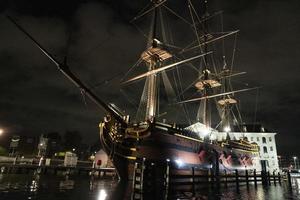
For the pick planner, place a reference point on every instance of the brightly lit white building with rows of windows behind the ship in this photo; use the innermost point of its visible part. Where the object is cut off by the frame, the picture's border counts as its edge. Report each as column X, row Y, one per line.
column 265, row 140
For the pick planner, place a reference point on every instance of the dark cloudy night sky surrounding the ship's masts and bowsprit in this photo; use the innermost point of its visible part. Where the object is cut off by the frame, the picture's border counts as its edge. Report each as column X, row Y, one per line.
column 100, row 43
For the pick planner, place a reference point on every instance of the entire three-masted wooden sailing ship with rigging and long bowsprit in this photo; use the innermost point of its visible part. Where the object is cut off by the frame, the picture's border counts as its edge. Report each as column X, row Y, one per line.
column 156, row 136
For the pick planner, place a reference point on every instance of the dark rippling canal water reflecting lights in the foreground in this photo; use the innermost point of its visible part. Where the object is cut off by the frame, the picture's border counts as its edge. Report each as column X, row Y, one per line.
column 50, row 187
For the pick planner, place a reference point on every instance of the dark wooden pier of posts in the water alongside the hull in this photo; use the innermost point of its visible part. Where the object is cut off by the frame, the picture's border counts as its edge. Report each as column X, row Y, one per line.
column 160, row 179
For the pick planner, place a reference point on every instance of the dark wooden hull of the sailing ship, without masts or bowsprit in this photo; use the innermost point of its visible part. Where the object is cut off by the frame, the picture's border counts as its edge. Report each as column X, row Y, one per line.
column 162, row 143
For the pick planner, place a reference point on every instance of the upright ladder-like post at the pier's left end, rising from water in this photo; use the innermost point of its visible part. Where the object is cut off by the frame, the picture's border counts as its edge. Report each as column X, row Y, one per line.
column 138, row 180
